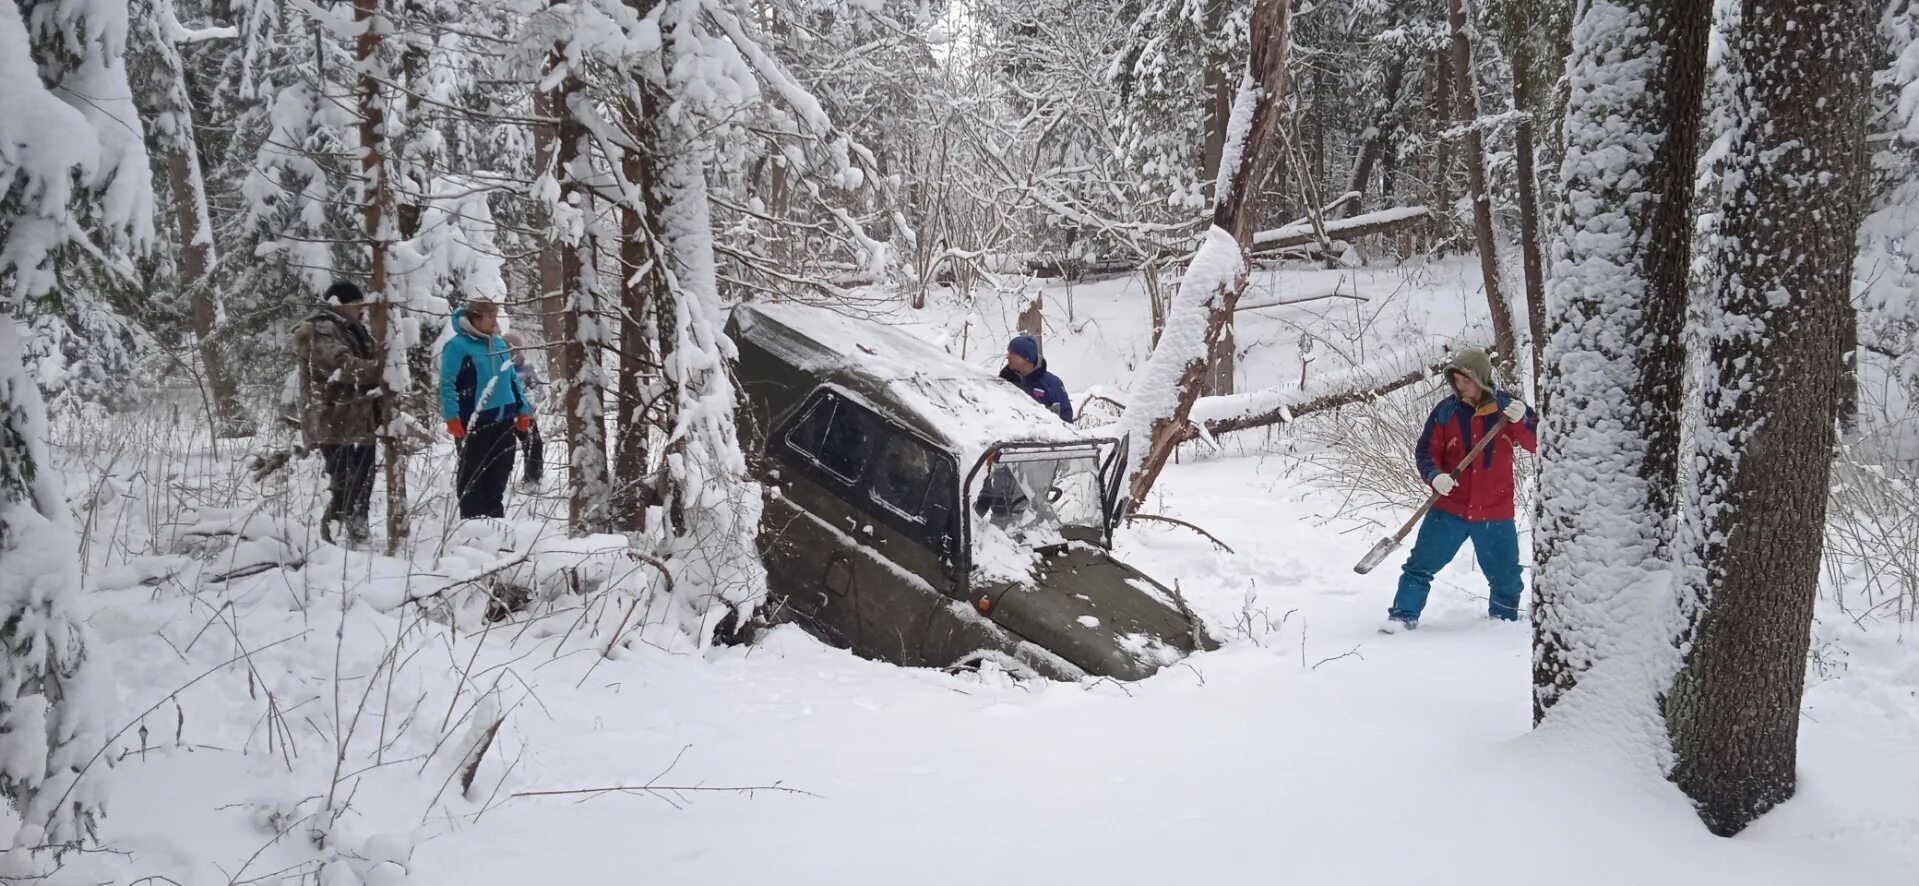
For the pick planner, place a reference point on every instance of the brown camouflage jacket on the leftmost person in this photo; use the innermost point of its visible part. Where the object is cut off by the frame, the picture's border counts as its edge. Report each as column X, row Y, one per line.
column 339, row 381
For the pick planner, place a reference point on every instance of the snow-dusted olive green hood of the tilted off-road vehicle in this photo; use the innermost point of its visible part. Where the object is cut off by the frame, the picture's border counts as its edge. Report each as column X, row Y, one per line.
column 1101, row 615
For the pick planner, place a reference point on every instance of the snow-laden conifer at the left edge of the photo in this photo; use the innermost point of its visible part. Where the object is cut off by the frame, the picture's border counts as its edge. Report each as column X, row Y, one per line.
column 49, row 726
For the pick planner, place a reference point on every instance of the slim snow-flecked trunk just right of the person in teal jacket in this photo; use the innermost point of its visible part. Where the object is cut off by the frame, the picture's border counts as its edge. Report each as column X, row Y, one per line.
column 582, row 325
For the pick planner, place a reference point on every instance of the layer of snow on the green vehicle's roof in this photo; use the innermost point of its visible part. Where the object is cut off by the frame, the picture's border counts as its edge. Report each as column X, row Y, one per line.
column 939, row 394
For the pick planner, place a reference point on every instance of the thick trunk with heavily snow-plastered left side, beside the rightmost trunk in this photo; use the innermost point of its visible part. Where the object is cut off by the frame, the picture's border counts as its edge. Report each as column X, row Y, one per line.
column 1609, row 478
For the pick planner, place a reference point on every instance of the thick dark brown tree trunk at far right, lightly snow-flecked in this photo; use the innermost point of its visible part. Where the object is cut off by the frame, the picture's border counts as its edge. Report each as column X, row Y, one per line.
column 1791, row 204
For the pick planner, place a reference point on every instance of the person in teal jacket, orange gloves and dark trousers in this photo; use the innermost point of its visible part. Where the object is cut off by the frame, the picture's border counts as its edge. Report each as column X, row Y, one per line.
column 485, row 406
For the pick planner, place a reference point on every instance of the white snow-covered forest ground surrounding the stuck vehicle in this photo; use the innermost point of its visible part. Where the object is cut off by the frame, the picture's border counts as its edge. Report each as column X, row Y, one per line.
column 1308, row 751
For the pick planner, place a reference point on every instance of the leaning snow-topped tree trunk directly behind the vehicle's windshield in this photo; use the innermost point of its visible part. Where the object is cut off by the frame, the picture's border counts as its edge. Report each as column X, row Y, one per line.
column 1170, row 383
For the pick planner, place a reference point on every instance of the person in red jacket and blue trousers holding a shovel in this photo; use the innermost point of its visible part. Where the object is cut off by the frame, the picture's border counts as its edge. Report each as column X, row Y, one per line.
column 1479, row 505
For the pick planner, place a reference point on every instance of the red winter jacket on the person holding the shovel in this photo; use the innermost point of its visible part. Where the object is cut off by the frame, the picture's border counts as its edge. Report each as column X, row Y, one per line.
column 1486, row 488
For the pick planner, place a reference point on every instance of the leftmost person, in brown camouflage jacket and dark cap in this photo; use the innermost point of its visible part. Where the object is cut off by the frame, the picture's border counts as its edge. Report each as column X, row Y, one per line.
column 341, row 404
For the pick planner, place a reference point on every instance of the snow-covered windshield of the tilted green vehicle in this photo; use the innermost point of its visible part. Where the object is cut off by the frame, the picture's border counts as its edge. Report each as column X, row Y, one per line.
column 1041, row 496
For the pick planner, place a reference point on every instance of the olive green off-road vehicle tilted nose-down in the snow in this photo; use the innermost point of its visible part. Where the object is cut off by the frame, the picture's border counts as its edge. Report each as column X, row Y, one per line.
column 924, row 513
